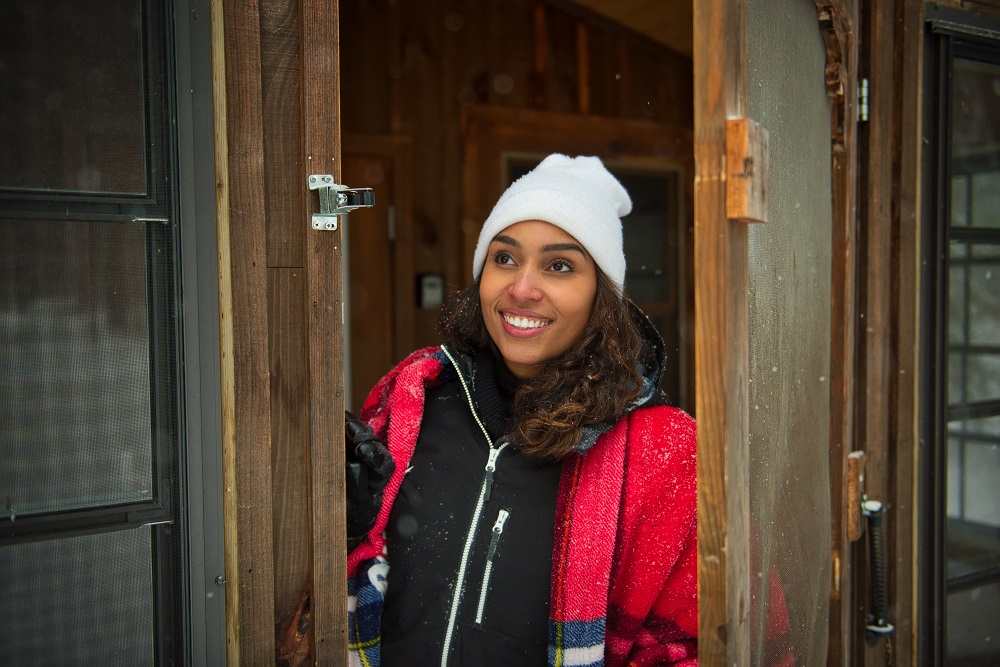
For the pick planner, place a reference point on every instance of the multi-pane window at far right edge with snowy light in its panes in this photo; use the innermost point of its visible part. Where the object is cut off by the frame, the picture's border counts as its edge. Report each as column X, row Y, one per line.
column 972, row 327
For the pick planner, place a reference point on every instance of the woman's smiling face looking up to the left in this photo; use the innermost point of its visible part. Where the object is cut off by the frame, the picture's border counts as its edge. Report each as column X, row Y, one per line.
column 537, row 290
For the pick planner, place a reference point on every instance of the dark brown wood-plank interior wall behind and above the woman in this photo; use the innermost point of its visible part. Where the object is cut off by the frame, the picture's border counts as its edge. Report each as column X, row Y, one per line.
column 408, row 69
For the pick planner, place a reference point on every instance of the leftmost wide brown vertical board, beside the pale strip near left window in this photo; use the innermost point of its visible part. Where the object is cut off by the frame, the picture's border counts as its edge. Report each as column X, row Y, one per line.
column 254, row 565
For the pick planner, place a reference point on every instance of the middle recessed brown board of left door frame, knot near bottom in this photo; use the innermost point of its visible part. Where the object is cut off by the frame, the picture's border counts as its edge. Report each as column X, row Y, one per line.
column 284, row 189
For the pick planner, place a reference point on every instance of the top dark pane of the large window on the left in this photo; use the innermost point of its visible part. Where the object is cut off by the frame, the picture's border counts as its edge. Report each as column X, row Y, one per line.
column 73, row 117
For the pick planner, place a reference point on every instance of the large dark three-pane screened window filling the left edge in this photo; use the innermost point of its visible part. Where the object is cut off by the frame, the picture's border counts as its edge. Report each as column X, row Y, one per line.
column 91, row 548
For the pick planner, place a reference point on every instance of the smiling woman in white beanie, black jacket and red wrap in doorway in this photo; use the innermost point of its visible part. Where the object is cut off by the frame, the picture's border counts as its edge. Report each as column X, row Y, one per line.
column 543, row 410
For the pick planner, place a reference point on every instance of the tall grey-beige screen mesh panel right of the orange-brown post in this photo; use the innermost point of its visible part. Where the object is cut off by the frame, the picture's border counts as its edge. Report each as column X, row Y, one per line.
column 789, row 325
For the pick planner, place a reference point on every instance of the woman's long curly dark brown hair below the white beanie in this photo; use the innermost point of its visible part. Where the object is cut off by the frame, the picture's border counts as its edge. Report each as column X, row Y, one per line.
column 592, row 382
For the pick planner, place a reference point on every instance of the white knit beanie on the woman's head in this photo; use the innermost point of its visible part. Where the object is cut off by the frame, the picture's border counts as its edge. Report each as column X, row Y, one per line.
column 576, row 194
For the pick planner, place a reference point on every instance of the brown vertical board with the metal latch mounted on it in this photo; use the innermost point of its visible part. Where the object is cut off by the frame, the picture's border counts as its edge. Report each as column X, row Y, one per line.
column 324, row 317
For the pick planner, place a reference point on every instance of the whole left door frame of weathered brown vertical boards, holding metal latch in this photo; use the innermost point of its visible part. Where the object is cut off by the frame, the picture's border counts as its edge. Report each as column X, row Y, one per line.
column 281, row 340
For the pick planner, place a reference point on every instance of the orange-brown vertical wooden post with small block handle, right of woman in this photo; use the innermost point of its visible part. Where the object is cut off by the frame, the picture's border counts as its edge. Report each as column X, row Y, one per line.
column 721, row 355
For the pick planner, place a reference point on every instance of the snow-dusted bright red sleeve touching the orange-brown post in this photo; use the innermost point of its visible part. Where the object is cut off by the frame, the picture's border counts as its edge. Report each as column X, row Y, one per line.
column 653, row 604
